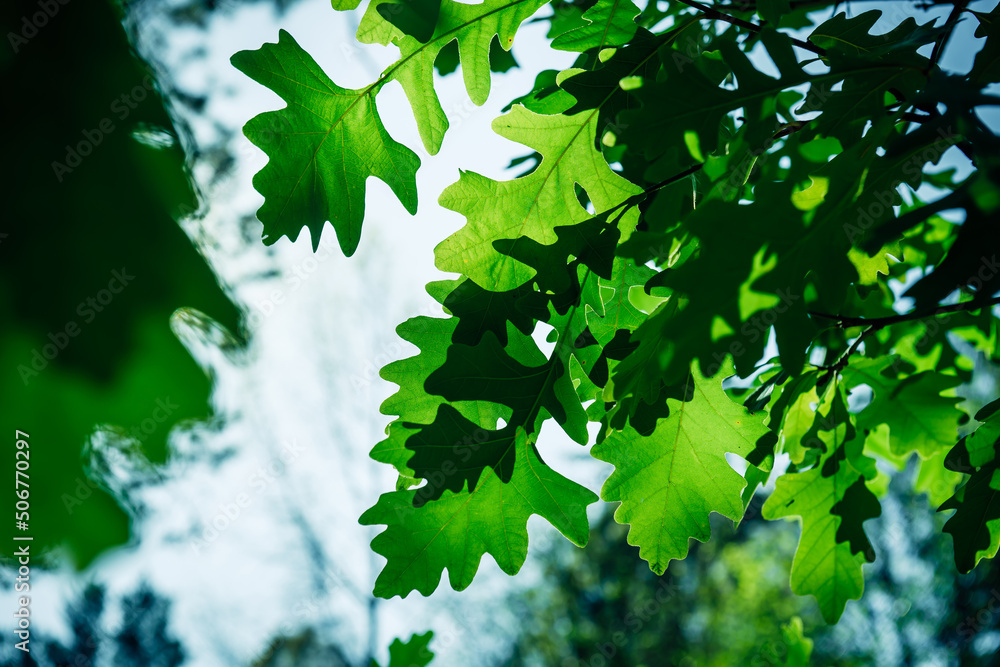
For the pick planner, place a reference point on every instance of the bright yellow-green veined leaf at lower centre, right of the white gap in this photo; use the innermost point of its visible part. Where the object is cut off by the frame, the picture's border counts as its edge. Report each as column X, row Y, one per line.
column 670, row 482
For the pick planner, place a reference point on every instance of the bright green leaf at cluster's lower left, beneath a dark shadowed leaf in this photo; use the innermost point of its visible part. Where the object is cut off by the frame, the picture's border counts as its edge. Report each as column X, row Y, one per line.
column 455, row 531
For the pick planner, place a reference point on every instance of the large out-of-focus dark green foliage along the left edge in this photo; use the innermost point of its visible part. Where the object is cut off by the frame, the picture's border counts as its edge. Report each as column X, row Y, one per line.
column 92, row 265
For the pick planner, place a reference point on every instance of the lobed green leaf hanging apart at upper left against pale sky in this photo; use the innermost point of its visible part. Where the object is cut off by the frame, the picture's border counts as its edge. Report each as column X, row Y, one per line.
column 322, row 147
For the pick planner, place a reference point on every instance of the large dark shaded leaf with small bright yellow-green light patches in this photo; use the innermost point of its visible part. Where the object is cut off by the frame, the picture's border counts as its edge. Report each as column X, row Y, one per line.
column 766, row 247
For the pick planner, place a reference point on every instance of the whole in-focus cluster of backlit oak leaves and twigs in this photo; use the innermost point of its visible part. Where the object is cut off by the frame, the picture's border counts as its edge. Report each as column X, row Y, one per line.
column 715, row 190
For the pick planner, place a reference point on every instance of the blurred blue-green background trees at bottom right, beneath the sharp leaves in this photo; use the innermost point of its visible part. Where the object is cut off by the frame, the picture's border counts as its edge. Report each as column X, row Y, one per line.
column 729, row 602
